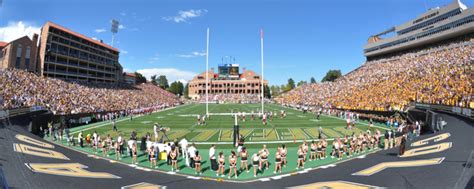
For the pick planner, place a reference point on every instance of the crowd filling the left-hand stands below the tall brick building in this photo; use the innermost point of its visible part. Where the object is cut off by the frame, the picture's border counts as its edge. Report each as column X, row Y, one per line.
column 24, row 89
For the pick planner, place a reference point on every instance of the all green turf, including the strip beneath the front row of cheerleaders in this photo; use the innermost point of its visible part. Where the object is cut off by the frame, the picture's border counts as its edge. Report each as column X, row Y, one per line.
column 292, row 130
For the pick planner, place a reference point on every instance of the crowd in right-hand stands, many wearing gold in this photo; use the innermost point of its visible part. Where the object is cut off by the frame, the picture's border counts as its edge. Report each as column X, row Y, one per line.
column 437, row 75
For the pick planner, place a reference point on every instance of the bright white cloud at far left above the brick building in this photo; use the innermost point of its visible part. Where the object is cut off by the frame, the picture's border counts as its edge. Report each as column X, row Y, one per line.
column 15, row 30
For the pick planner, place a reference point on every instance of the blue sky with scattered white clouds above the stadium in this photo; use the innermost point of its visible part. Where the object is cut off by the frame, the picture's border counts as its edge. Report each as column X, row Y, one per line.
column 303, row 38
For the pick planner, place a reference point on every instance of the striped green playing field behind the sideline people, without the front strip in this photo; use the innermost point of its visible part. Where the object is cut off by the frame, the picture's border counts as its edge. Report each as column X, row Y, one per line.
column 182, row 122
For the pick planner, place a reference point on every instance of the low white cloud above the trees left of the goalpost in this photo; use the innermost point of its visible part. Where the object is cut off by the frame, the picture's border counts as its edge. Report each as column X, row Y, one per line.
column 171, row 74
